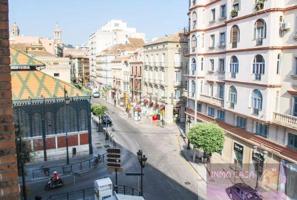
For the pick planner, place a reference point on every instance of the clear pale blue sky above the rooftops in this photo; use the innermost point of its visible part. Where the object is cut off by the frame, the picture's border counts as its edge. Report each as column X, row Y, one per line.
column 79, row 18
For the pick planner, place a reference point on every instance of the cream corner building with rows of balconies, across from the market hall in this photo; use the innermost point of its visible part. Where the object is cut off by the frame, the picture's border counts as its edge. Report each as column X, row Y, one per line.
column 162, row 86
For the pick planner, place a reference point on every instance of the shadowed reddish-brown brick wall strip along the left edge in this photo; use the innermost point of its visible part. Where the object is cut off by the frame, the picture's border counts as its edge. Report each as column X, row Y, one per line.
column 9, row 189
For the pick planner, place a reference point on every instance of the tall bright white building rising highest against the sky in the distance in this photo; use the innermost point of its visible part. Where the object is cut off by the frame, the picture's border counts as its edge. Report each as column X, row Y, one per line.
column 113, row 33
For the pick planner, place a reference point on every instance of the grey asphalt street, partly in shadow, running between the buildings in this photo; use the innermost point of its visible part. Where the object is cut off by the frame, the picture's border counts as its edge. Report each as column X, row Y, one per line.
column 167, row 174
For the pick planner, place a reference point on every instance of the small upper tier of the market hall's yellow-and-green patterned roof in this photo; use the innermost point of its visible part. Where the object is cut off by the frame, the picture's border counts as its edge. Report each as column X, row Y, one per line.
column 19, row 58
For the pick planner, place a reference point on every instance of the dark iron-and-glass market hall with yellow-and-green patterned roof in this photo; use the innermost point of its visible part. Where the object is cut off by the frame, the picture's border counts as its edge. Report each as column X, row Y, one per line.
column 40, row 109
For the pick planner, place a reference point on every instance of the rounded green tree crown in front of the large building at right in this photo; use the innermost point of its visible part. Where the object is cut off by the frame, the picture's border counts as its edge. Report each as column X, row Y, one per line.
column 207, row 136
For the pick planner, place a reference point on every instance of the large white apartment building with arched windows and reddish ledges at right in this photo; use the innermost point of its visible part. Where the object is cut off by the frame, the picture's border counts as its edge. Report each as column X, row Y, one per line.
column 242, row 75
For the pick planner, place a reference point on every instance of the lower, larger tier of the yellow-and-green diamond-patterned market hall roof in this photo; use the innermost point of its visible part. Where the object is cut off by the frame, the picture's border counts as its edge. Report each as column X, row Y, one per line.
column 38, row 85
